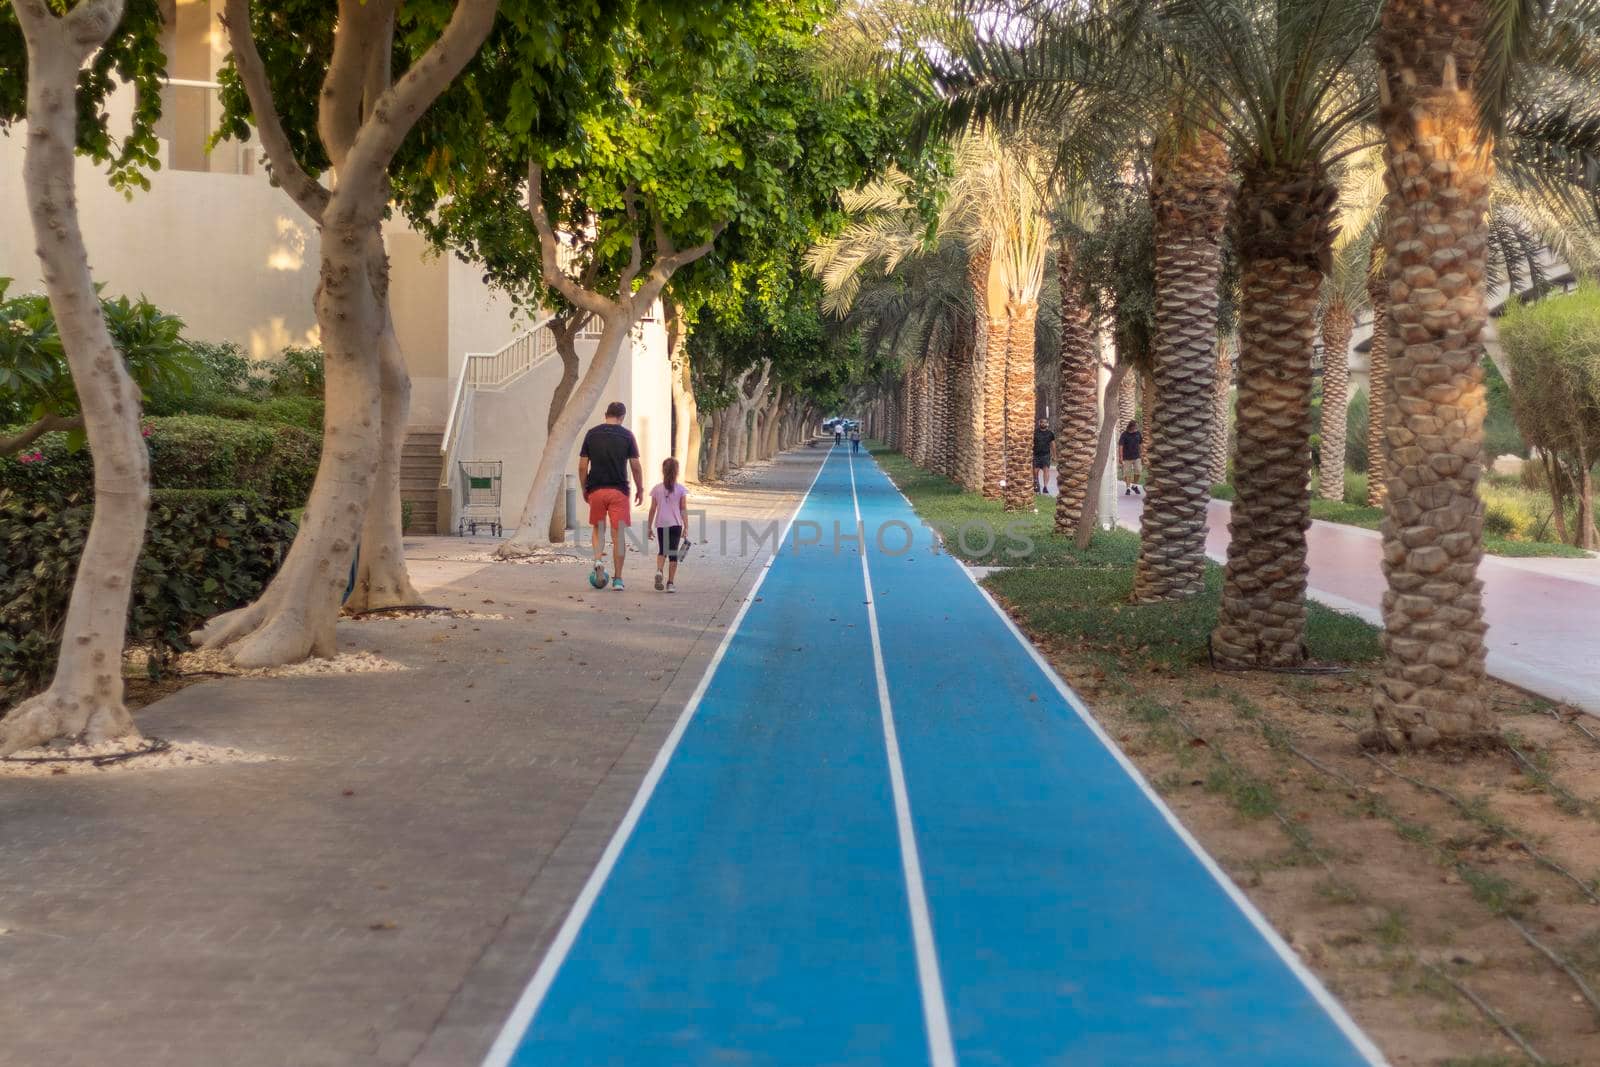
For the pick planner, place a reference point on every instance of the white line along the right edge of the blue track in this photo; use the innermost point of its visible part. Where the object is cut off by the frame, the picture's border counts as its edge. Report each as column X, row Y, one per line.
column 1324, row 999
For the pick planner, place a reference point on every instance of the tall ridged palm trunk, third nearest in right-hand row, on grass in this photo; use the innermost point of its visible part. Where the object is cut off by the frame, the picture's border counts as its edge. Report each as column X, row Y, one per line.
column 1191, row 193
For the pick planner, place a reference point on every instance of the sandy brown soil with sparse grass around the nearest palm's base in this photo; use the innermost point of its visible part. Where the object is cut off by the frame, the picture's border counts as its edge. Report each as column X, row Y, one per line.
column 1396, row 895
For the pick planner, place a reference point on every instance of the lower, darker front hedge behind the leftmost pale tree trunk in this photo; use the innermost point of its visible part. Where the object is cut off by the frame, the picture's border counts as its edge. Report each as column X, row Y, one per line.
column 206, row 551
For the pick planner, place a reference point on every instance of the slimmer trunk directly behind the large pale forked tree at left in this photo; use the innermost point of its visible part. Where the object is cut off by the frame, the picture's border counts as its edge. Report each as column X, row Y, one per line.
column 382, row 580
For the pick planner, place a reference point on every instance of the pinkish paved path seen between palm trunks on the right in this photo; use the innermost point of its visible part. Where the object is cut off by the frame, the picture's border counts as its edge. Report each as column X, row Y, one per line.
column 1545, row 615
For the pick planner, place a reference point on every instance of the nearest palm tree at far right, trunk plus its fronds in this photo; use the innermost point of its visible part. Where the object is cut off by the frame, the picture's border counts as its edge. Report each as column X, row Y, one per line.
column 1457, row 79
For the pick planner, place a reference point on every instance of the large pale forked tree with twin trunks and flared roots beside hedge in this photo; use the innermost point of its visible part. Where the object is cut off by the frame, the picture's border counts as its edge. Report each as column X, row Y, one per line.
column 340, row 89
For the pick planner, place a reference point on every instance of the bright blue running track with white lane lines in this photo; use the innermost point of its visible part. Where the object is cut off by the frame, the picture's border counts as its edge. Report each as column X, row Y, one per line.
column 886, row 834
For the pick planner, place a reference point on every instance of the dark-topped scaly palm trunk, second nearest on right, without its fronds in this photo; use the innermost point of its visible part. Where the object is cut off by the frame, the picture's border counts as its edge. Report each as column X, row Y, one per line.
column 1286, row 238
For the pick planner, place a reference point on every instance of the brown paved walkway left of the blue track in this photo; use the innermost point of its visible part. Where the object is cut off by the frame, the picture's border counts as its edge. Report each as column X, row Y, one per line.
column 382, row 890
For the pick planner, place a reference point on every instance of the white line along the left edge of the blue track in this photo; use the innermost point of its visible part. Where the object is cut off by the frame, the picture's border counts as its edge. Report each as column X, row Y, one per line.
column 516, row 1028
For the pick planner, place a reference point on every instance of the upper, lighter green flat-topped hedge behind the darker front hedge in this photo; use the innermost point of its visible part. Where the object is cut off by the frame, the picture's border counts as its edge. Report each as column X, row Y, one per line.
column 190, row 452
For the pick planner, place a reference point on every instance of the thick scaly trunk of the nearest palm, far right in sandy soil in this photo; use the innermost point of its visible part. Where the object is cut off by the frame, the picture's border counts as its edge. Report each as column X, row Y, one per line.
column 1439, row 170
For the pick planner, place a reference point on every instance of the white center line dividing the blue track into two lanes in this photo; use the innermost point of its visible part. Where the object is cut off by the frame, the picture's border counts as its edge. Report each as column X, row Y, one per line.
column 935, row 1012
